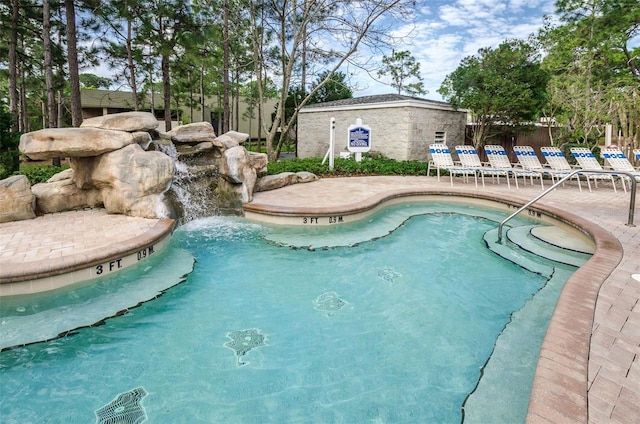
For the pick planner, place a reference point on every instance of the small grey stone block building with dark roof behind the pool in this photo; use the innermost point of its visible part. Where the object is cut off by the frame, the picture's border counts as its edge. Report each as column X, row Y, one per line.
column 402, row 127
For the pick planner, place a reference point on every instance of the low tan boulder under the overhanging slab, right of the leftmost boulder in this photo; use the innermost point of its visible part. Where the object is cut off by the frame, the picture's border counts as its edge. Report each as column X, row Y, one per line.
column 60, row 194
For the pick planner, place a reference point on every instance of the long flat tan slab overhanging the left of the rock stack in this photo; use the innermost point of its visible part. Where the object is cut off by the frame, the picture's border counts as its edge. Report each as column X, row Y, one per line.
column 72, row 142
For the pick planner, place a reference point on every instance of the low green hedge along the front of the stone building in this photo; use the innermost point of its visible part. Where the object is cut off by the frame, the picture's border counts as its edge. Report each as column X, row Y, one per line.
column 349, row 167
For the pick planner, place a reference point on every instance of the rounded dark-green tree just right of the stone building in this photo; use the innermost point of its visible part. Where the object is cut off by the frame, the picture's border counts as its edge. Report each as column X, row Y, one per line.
column 501, row 88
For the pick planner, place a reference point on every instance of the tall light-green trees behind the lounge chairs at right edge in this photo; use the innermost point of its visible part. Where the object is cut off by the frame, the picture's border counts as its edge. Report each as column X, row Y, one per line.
column 594, row 68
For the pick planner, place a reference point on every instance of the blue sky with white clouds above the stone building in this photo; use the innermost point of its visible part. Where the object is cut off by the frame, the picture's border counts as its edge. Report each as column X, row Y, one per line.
column 447, row 31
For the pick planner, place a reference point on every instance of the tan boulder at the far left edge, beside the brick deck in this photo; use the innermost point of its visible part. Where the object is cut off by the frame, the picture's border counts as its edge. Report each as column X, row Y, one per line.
column 18, row 202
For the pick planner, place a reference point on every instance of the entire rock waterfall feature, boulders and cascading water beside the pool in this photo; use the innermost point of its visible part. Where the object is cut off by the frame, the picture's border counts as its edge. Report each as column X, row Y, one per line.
column 120, row 162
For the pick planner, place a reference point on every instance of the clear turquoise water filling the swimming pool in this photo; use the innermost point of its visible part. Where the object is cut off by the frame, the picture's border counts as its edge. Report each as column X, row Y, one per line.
column 405, row 317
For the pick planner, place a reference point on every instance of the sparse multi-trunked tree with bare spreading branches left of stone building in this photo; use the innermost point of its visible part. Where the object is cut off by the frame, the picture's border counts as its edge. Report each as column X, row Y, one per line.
column 330, row 30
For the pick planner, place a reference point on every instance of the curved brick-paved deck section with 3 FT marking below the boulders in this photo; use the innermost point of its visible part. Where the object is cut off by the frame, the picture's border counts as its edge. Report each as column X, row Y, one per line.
column 57, row 250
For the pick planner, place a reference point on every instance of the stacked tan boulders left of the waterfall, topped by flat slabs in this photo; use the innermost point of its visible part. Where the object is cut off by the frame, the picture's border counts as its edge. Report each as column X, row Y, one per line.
column 109, row 166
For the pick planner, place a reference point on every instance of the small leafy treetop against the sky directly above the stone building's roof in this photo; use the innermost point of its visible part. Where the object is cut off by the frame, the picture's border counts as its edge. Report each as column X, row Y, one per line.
column 402, row 67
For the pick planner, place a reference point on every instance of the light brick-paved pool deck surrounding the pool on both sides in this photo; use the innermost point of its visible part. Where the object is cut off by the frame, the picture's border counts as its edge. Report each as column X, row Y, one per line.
column 589, row 366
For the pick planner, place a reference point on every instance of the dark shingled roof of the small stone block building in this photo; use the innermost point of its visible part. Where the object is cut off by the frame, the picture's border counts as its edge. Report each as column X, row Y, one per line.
column 379, row 101
